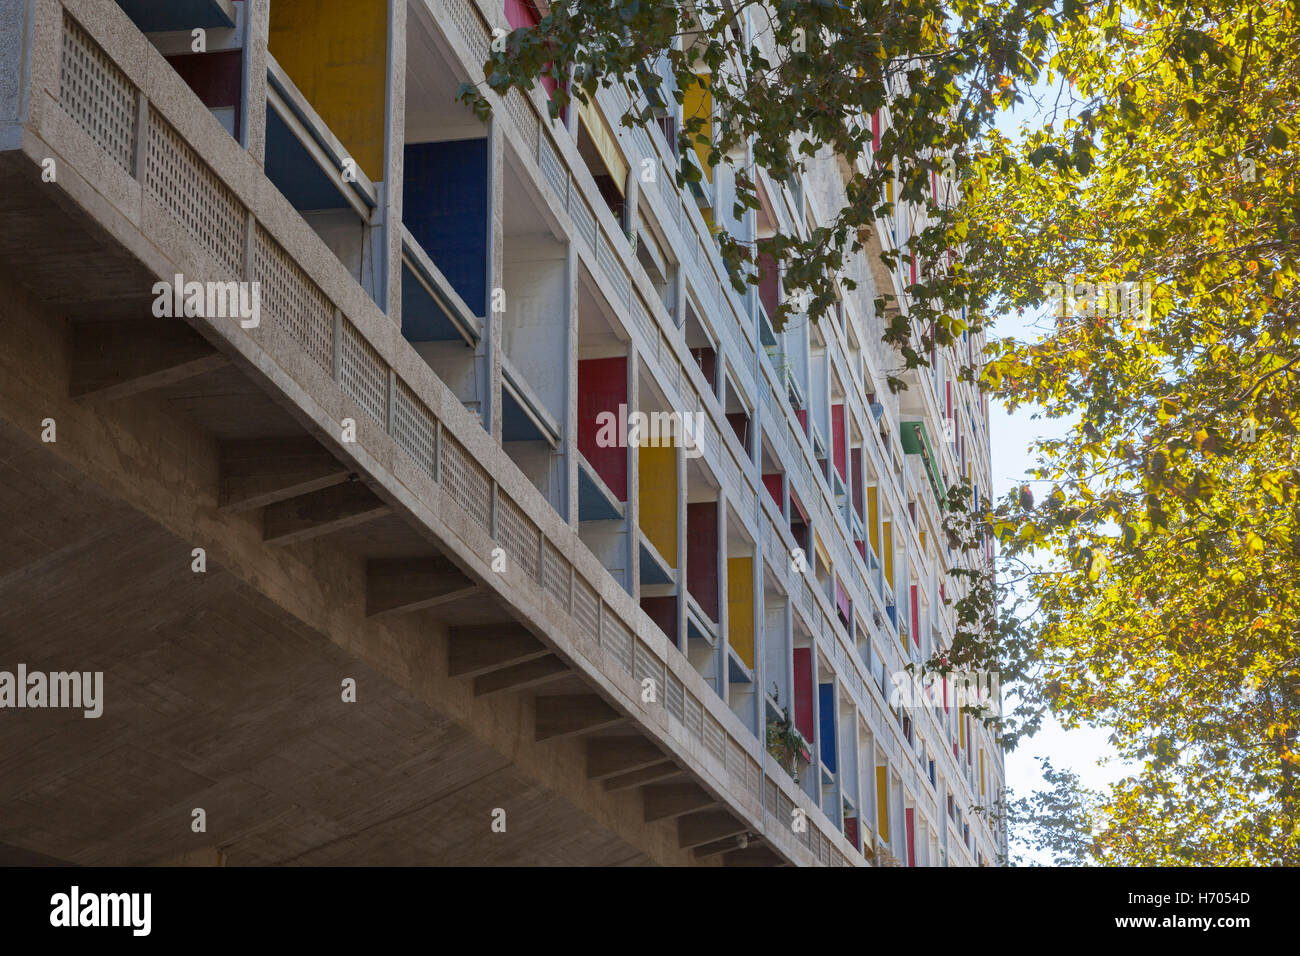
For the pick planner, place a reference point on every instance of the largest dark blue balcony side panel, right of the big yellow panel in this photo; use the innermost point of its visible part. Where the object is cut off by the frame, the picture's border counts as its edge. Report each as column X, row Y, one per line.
column 445, row 206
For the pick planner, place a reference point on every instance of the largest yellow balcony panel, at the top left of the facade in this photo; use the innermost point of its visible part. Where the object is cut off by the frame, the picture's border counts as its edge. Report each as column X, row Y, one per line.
column 337, row 57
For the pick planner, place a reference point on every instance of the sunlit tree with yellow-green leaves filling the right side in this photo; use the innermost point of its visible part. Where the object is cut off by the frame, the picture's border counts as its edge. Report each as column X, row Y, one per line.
column 1168, row 608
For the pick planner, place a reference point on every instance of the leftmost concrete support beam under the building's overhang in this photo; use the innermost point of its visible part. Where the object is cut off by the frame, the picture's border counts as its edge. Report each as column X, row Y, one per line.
column 115, row 360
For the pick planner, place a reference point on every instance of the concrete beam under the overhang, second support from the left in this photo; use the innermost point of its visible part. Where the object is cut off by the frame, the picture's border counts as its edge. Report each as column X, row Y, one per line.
column 257, row 474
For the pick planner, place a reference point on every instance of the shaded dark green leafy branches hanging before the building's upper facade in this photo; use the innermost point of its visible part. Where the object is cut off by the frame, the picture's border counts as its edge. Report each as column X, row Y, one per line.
column 811, row 83
